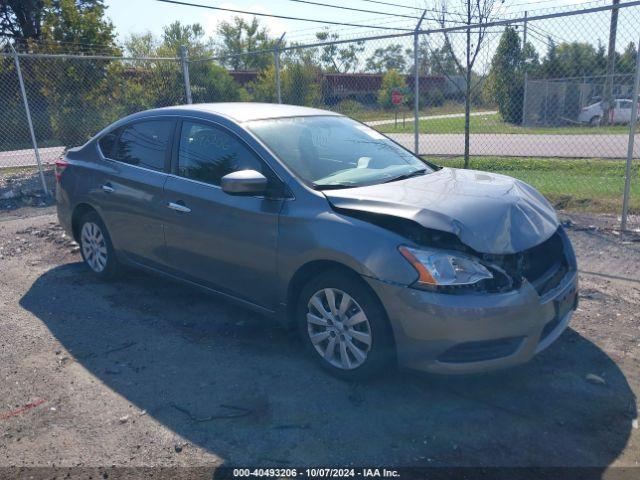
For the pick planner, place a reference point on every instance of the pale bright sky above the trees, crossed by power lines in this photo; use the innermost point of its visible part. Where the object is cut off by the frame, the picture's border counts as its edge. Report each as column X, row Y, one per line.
column 137, row 16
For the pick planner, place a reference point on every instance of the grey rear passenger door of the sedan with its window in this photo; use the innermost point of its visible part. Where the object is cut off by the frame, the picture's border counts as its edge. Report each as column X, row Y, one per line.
column 137, row 158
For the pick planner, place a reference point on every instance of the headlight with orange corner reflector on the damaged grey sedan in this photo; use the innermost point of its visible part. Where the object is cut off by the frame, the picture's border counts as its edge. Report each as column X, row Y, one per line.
column 445, row 268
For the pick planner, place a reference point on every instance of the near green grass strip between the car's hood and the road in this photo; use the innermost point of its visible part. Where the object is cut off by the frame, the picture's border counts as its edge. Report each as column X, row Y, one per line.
column 592, row 185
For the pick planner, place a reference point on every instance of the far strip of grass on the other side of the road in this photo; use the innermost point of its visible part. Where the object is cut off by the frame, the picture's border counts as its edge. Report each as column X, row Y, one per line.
column 494, row 124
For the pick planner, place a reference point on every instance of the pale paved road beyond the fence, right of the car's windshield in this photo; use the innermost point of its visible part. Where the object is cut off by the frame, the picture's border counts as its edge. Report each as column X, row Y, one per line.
column 516, row 145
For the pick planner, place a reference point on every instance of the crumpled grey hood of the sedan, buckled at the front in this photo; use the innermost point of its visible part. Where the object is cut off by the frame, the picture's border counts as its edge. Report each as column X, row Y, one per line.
column 488, row 212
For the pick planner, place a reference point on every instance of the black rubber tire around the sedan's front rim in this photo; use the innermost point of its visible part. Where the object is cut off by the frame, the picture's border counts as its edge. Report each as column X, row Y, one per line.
column 381, row 352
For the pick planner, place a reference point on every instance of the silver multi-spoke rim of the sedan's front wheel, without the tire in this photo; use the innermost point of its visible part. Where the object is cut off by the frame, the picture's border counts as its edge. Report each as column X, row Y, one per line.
column 338, row 328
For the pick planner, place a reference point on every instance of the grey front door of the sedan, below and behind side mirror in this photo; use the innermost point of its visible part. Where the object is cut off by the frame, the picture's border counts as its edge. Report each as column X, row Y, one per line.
column 223, row 241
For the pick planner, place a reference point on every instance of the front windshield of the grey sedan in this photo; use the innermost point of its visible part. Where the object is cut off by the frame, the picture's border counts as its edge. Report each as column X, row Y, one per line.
column 336, row 152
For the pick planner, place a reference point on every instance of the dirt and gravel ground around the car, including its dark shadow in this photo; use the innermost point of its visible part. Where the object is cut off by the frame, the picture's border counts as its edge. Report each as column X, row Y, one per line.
column 147, row 372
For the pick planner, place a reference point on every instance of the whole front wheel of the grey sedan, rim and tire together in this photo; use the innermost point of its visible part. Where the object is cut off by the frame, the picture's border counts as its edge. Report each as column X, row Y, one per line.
column 344, row 326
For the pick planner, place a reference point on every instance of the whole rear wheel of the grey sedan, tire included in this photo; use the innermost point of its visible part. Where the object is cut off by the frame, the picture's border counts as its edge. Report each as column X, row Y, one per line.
column 96, row 247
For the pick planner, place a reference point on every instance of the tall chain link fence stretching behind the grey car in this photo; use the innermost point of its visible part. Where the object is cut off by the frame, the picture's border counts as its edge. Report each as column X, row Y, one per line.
column 546, row 102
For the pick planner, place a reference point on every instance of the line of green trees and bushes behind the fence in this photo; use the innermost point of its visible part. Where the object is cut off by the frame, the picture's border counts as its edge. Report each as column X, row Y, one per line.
column 71, row 99
